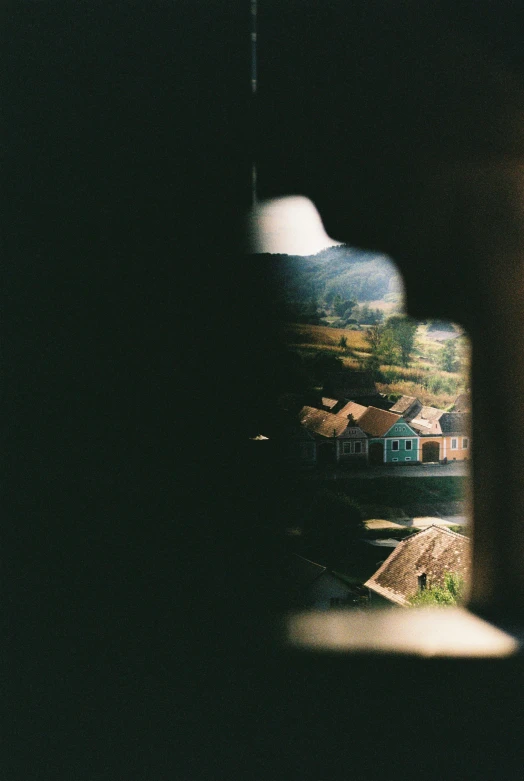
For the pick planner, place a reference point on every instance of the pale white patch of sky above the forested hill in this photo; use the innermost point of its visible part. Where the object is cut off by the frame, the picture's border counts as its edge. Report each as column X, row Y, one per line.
column 290, row 225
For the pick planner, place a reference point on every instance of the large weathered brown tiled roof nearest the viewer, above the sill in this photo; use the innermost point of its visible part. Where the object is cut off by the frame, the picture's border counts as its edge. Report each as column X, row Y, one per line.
column 432, row 552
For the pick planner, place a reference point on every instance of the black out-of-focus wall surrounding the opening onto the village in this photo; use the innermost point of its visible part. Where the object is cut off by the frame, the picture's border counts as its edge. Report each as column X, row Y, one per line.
column 141, row 530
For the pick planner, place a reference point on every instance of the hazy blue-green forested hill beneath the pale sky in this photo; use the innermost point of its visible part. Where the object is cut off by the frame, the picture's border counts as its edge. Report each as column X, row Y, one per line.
column 339, row 270
